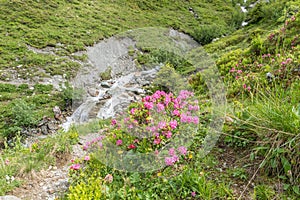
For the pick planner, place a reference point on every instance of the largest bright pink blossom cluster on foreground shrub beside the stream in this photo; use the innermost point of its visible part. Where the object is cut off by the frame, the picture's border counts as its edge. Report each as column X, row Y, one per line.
column 160, row 116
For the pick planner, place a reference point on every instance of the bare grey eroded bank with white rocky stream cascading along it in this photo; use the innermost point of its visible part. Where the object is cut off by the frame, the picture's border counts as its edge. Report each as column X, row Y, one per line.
column 105, row 99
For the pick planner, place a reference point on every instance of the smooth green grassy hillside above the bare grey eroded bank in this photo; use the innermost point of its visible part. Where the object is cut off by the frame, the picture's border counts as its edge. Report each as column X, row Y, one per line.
column 70, row 26
